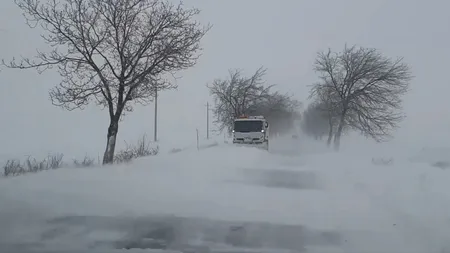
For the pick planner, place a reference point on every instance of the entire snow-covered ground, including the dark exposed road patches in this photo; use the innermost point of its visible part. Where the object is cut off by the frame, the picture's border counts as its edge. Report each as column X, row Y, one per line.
column 297, row 198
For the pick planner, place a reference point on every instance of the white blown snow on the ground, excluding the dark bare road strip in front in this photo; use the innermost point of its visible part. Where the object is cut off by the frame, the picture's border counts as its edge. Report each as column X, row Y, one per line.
column 403, row 207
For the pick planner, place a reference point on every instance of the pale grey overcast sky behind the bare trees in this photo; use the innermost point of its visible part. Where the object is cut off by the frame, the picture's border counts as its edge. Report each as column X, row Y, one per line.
column 283, row 36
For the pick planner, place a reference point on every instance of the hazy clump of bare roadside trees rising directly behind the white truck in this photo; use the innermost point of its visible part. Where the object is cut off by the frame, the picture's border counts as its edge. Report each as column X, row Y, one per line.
column 240, row 95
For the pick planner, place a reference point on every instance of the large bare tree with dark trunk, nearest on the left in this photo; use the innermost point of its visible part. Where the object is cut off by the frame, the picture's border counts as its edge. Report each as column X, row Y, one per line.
column 112, row 52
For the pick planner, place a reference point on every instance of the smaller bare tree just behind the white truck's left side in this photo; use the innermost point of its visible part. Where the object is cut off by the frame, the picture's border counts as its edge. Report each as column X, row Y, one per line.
column 234, row 96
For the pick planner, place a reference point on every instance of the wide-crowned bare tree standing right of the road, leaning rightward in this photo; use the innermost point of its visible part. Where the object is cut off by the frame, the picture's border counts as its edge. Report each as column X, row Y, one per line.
column 368, row 88
